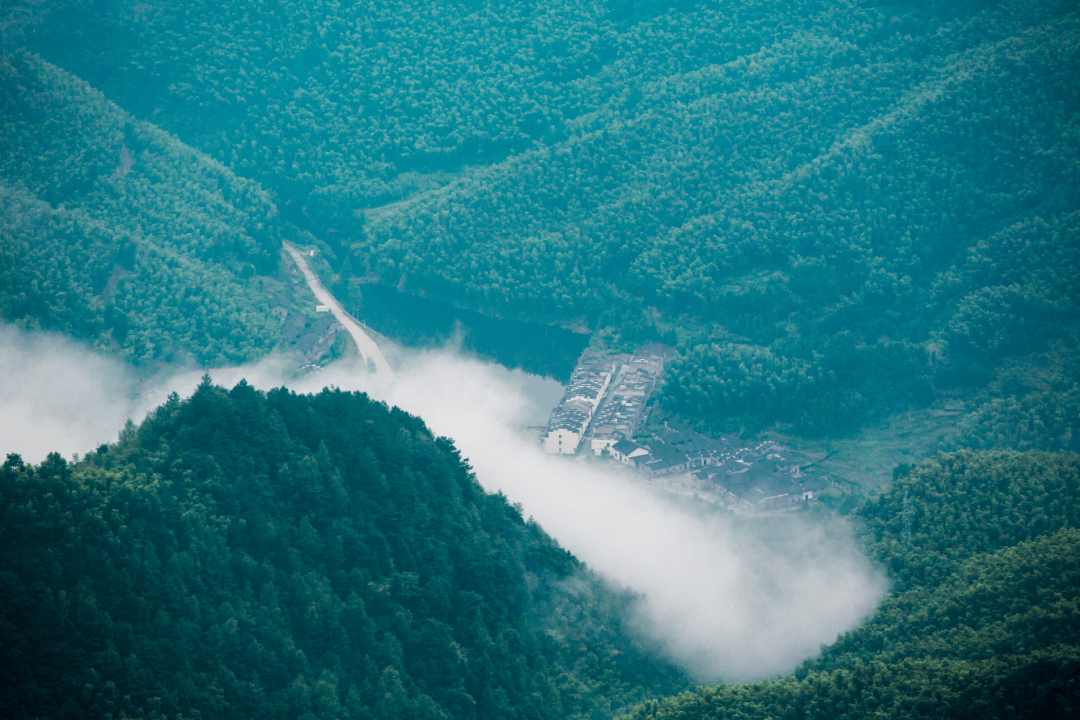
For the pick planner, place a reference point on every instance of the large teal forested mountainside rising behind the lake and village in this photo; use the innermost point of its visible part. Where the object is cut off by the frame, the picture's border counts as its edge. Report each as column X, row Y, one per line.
column 834, row 210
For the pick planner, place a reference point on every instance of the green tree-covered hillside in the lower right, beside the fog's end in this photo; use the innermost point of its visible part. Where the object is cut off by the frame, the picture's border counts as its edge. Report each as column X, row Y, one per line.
column 984, row 618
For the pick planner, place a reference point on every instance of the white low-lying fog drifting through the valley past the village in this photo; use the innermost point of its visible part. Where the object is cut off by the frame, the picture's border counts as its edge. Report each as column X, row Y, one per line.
column 730, row 599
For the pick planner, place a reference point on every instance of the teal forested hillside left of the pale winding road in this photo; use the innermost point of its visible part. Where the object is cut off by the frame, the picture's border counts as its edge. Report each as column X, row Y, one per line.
column 115, row 233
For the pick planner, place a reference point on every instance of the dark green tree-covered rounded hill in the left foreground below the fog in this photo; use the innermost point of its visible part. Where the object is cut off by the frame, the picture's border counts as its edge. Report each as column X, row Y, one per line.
column 258, row 555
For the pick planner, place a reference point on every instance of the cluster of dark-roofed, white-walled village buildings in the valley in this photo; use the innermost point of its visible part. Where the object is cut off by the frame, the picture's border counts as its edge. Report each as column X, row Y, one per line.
column 606, row 406
